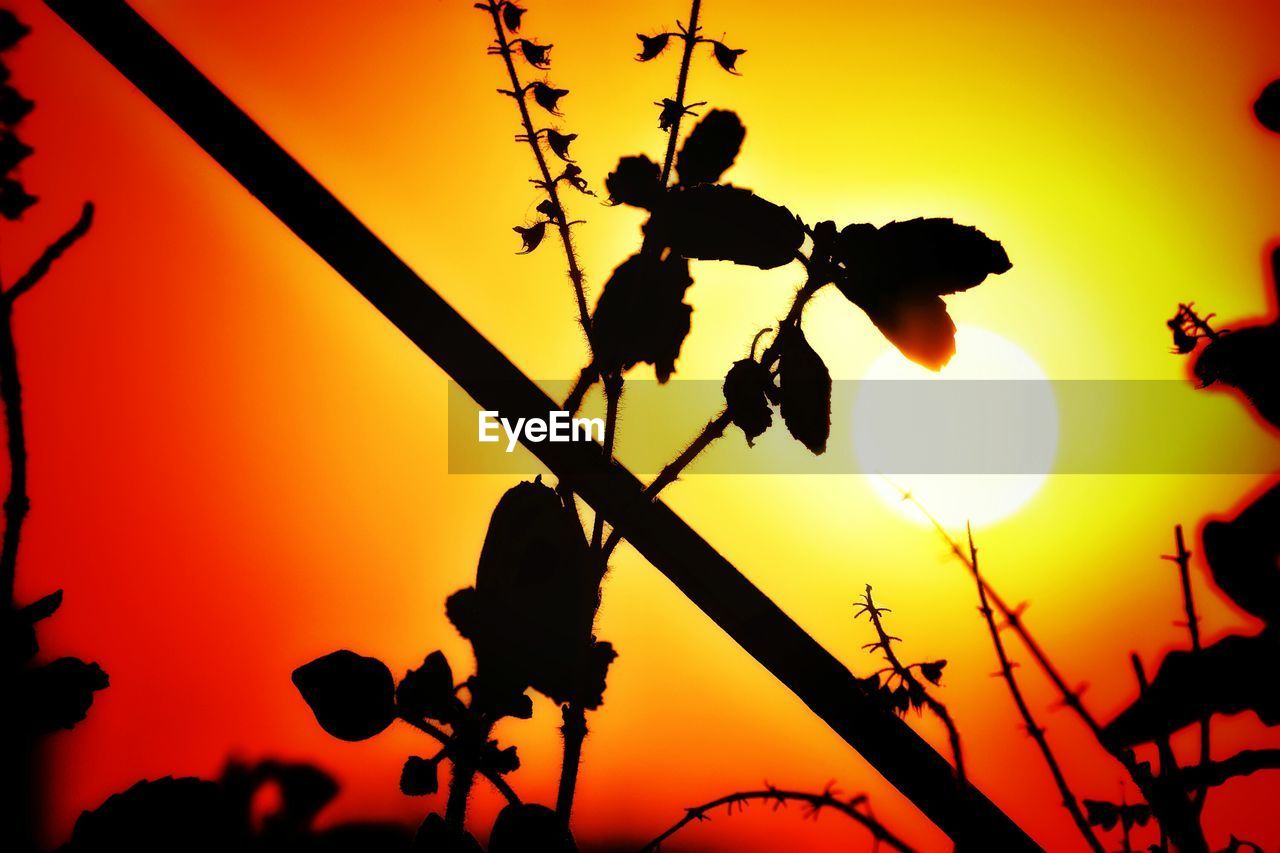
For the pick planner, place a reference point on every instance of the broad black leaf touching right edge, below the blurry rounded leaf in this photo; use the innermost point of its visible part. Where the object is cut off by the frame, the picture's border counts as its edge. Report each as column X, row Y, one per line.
column 1236, row 674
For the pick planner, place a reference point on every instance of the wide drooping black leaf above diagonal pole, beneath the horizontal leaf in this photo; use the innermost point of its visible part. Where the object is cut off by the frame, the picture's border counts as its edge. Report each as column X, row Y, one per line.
column 642, row 314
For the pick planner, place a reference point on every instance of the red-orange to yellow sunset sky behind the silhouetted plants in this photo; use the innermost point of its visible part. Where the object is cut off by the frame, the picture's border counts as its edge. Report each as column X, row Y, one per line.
column 237, row 466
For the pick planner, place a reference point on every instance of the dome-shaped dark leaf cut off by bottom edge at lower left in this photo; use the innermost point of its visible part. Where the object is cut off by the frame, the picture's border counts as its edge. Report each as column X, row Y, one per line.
column 159, row 816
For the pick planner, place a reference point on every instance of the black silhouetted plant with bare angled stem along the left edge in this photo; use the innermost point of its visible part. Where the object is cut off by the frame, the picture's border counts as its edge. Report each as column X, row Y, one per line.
column 40, row 699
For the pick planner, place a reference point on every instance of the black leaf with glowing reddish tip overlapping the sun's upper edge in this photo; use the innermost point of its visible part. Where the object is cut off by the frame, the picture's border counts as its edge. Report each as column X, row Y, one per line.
column 898, row 273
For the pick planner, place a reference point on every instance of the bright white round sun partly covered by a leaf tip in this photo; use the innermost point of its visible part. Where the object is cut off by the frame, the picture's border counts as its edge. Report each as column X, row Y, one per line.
column 904, row 437
